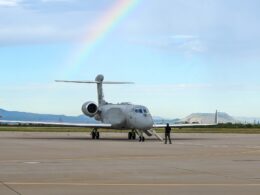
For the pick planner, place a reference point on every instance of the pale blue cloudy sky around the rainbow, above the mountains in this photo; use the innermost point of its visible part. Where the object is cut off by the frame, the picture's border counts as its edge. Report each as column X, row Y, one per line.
column 184, row 56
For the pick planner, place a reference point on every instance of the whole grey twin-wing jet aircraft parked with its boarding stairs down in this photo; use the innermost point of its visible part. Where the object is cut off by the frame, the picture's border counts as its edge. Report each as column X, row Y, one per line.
column 123, row 116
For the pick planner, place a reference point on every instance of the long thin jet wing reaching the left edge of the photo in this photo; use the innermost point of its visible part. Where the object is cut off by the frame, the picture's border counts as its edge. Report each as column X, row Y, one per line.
column 98, row 125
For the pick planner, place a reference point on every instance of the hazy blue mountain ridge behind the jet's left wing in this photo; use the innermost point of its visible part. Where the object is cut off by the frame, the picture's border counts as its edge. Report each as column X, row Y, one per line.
column 26, row 116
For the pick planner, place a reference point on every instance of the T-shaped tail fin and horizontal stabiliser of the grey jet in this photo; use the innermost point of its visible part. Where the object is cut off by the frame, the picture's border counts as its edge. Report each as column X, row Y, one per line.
column 99, row 81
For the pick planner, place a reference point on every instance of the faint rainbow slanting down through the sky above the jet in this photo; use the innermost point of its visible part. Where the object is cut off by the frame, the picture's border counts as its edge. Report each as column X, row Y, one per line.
column 105, row 24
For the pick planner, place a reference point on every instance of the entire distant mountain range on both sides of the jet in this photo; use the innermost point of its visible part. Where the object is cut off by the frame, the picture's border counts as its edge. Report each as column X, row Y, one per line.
column 192, row 118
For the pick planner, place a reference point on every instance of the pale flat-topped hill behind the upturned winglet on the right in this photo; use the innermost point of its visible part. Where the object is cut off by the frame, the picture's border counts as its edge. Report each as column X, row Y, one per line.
column 209, row 118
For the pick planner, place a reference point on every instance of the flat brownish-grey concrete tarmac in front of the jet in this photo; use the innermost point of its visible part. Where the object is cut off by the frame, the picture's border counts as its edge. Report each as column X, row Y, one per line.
column 72, row 163
